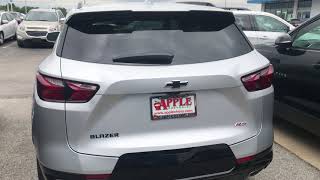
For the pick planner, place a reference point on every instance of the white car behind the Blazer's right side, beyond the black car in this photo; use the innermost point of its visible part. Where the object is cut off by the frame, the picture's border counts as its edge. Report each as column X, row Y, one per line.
column 261, row 27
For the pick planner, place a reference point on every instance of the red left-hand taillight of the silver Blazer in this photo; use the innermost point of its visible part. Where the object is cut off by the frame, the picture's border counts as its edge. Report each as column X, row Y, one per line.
column 60, row 90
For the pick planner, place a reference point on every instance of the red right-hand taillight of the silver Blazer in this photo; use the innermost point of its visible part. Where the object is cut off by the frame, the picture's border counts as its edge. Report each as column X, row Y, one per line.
column 258, row 80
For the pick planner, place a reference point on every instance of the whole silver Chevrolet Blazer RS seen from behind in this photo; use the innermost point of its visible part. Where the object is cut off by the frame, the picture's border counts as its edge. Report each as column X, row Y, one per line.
column 152, row 91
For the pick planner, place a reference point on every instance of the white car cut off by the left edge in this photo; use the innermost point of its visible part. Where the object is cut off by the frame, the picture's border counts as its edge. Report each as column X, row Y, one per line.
column 8, row 26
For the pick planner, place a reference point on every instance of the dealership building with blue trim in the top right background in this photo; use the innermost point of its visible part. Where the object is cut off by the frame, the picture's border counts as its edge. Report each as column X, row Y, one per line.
column 290, row 9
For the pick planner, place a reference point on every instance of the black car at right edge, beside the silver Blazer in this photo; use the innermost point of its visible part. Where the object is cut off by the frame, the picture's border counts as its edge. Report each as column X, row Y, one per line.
column 296, row 59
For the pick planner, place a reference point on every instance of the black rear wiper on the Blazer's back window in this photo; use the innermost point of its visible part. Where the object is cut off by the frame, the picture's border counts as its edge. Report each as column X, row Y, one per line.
column 145, row 59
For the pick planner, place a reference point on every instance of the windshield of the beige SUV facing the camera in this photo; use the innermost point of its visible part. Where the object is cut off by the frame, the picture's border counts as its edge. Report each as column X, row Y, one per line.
column 41, row 16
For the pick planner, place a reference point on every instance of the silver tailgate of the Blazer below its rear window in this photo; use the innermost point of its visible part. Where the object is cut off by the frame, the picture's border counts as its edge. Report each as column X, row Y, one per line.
column 121, row 87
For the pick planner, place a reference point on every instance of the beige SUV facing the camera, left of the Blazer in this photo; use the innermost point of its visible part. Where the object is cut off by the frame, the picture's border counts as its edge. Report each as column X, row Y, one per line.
column 37, row 24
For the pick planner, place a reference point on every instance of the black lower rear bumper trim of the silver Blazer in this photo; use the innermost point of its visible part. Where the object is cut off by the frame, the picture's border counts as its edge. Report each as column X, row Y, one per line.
column 212, row 162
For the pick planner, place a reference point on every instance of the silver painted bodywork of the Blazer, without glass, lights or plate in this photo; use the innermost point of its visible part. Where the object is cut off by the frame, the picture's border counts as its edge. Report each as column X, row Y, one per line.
column 226, row 112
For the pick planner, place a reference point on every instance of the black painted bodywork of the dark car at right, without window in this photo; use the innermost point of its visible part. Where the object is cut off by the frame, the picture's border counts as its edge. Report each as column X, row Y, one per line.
column 296, row 77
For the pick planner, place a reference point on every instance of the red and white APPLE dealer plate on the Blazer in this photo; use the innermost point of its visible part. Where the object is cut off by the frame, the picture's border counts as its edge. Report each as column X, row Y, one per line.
column 171, row 107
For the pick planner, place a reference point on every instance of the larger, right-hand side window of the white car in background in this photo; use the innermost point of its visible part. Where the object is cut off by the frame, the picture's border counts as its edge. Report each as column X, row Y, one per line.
column 269, row 24
